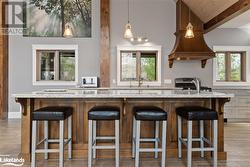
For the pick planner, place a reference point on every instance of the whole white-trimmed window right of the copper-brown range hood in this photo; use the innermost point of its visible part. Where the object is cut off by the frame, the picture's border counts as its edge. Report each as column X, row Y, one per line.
column 230, row 66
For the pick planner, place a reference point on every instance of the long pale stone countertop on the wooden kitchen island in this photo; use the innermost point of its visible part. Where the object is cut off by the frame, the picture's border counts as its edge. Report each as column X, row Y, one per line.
column 120, row 93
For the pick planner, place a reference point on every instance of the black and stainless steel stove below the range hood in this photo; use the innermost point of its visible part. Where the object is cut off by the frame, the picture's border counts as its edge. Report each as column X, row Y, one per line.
column 190, row 83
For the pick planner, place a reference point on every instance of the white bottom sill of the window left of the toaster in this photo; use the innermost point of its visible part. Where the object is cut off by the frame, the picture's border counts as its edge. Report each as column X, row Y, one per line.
column 55, row 83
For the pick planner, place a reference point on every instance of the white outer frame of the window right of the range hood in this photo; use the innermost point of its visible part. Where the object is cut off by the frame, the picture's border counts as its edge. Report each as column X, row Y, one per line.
column 246, row 72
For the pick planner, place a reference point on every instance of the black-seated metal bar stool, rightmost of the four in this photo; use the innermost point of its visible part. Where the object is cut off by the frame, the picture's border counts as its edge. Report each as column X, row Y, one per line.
column 195, row 113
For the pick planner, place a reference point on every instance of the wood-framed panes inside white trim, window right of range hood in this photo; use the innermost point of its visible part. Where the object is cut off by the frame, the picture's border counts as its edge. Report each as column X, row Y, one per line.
column 231, row 66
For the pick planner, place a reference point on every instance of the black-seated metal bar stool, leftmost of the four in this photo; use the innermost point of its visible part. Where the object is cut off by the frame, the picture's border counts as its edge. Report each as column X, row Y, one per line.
column 47, row 114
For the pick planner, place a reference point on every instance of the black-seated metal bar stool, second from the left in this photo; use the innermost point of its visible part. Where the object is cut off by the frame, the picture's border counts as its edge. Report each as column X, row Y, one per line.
column 103, row 113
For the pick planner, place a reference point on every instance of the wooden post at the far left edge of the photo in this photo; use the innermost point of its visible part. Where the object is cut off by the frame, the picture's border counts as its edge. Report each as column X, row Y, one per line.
column 3, row 65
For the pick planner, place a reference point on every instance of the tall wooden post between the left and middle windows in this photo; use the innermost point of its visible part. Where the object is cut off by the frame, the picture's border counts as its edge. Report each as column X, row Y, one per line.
column 105, row 44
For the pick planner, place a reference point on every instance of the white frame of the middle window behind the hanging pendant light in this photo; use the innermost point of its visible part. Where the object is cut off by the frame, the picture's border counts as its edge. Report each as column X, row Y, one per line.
column 156, row 49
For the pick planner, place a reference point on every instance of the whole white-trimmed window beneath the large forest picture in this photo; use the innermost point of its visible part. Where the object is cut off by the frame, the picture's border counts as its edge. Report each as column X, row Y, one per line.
column 55, row 65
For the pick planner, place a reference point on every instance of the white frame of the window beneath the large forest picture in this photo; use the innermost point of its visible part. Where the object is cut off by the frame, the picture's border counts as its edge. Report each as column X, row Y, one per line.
column 36, row 67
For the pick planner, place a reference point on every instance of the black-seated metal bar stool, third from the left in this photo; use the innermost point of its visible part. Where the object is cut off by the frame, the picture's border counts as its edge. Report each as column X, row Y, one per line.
column 149, row 113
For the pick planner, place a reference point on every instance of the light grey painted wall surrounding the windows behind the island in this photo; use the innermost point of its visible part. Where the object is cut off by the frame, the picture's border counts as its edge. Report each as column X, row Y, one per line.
column 152, row 18
